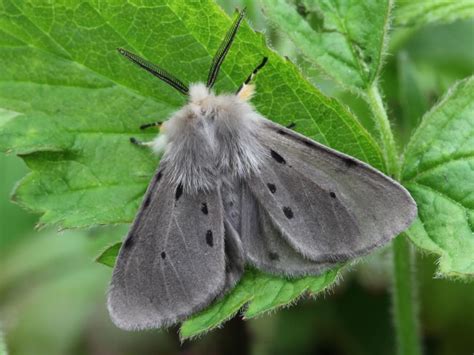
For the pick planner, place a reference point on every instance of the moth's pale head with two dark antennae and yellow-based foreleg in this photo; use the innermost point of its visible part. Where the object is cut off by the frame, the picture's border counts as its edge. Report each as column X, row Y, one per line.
column 194, row 92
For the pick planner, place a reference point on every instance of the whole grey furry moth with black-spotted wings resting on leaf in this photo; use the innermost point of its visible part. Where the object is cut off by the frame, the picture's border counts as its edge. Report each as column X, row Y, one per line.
column 233, row 189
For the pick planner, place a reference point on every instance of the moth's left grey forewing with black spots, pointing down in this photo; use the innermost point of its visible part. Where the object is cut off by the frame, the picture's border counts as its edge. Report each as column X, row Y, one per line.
column 172, row 262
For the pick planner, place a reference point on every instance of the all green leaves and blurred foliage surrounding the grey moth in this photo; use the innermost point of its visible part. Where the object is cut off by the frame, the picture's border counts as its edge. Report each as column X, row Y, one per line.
column 68, row 104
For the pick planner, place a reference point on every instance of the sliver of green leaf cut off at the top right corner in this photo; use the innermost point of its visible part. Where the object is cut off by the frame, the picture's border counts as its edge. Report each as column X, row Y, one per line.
column 422, row 12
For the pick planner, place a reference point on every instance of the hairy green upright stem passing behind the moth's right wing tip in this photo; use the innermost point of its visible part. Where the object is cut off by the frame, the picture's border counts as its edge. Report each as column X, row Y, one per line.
column 403, row 293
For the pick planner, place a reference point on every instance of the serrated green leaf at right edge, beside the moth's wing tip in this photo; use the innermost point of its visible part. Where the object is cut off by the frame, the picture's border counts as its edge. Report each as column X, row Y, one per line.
column 439, row 172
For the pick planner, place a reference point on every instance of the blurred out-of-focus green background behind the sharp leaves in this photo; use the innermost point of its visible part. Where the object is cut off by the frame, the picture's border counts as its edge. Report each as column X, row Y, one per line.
column 52, row 293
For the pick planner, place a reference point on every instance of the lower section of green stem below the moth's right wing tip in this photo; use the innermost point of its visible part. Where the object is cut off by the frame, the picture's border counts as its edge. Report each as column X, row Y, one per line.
column 404, row 298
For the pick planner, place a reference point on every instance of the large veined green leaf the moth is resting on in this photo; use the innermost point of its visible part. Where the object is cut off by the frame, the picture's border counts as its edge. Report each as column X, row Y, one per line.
column 70, row 104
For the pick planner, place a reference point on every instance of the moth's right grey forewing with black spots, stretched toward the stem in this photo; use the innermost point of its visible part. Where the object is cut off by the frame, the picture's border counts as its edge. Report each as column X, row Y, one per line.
column 327, row 205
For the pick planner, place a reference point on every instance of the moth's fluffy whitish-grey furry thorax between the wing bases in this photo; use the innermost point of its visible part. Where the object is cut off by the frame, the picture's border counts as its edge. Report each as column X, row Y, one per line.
column 211, row 137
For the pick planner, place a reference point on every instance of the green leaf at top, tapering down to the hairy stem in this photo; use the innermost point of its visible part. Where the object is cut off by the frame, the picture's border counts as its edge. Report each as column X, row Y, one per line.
column 344, row 38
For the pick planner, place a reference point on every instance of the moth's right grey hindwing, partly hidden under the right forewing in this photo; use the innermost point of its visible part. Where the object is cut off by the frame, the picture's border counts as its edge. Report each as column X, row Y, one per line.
column 266, row 248
